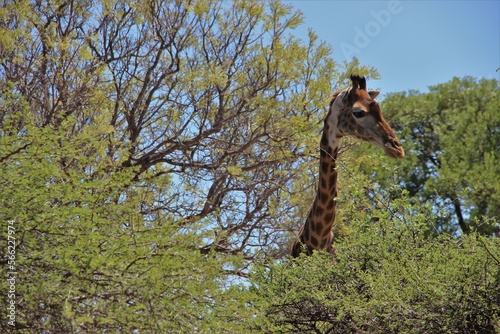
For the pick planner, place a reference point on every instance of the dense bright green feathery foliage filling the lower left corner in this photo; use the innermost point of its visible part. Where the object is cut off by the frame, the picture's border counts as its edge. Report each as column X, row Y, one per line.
column 88, row 260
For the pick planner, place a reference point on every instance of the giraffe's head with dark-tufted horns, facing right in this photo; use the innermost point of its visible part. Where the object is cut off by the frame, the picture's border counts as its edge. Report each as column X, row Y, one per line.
column 354, row 112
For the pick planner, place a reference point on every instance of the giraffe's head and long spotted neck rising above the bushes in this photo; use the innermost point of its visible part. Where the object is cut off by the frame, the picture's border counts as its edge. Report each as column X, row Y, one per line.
column 353, row 112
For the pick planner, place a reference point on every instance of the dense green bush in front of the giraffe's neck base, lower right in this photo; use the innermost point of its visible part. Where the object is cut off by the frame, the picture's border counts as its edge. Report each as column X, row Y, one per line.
column 388, row 277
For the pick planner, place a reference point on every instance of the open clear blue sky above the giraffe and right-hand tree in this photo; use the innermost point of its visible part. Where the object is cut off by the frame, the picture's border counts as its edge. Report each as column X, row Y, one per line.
column 413, row 44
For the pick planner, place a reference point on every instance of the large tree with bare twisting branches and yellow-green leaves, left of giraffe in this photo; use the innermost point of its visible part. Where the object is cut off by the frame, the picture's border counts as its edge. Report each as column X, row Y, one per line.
column 148, row 150
